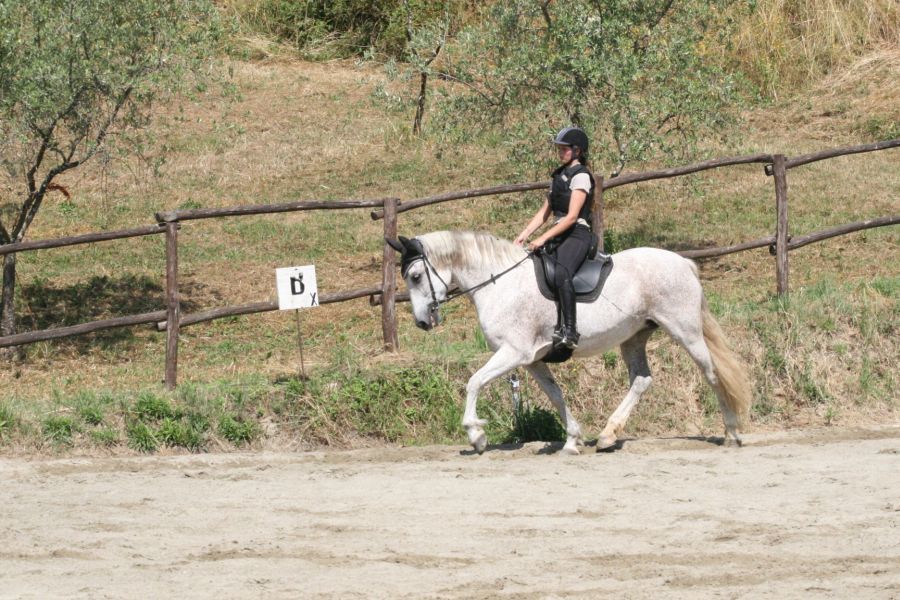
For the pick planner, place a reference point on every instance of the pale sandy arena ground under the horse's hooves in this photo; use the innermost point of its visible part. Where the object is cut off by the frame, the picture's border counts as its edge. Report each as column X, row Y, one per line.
column 811, row 514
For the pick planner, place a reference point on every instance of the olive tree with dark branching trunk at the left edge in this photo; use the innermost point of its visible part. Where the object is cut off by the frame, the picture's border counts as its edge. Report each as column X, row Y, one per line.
column 75, row 75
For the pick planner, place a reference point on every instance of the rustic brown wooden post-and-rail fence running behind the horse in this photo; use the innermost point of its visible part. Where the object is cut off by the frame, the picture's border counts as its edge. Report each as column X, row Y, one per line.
column 169, row 222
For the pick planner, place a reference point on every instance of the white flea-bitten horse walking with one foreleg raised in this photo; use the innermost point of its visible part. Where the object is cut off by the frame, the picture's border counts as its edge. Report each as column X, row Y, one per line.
column 647, row 288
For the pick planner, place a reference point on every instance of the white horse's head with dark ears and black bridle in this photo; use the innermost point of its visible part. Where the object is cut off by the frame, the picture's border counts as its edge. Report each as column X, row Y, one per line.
column 427, row 289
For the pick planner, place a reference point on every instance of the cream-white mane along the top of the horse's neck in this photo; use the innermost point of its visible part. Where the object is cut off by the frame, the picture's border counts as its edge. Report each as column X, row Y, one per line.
column 458, row 249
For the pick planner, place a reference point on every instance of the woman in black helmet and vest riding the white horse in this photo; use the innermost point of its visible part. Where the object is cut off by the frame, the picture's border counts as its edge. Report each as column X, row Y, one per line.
column 569, row 201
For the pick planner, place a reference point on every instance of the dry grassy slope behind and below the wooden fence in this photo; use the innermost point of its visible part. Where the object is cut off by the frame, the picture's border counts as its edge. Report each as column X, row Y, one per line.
column 311, row 131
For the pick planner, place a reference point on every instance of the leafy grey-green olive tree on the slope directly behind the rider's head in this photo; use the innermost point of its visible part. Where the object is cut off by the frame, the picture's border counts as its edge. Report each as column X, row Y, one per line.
column 639, row 75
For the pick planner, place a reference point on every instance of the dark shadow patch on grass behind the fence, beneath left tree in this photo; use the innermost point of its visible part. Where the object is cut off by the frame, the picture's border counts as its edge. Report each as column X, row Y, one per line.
column 45, row 304
